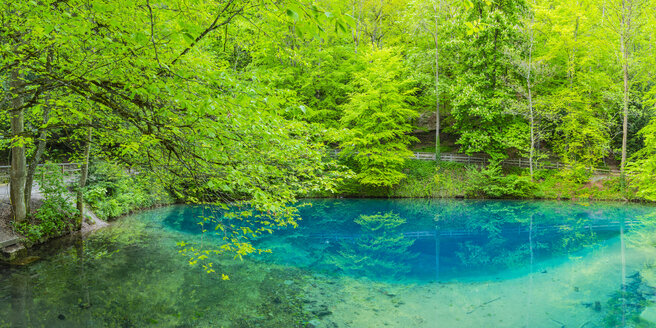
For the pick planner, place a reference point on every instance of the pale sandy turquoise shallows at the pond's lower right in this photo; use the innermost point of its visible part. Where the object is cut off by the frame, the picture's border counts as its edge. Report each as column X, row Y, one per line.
column 564, row 295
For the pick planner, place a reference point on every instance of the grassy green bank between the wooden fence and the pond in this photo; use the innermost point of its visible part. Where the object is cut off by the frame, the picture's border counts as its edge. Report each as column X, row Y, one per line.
column 426, row 179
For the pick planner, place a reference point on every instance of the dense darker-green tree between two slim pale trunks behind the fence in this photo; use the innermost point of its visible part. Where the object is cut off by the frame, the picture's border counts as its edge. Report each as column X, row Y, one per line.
column 480, row 92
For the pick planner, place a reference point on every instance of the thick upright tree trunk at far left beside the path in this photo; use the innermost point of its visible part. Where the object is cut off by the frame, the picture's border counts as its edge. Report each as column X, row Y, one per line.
column 18, row 161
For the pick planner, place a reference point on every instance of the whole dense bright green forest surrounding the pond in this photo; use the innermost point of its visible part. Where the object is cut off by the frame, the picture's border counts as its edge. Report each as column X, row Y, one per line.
column 257, row 103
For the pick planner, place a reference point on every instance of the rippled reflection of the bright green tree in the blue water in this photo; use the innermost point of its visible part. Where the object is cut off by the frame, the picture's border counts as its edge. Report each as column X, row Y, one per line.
column 381, row 249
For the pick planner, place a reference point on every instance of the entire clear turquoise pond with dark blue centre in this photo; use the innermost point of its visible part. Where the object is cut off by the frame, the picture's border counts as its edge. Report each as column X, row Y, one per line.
column 355, row 263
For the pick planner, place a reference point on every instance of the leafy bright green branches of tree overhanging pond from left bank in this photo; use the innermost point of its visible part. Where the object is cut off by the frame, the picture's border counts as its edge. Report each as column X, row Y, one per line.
column 149, row 80
